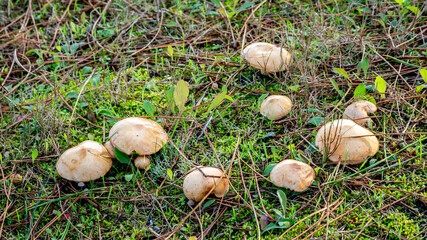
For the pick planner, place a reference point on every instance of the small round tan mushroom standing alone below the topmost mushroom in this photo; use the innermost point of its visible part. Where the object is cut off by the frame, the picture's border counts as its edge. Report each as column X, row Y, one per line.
column 276, row 107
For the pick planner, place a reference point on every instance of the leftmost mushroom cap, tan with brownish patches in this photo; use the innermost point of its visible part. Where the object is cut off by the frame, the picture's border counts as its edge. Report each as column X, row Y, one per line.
column 85, row 162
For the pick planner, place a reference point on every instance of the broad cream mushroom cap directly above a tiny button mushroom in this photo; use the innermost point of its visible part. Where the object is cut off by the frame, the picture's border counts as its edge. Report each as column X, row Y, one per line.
column 138, row 135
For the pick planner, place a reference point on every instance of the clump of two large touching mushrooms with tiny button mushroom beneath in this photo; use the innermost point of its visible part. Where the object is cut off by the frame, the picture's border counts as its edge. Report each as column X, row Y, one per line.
column 91, row 160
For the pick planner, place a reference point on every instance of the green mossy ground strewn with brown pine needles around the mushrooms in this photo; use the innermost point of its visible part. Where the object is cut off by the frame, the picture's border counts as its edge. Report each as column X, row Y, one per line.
column 70, row 69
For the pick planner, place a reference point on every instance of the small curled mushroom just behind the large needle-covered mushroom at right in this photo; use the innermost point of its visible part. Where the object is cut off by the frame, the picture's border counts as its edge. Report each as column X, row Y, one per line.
column 358, row 112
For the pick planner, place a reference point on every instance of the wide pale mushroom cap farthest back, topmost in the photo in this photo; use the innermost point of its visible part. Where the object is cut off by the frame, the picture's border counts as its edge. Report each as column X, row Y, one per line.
column 267, row 57
